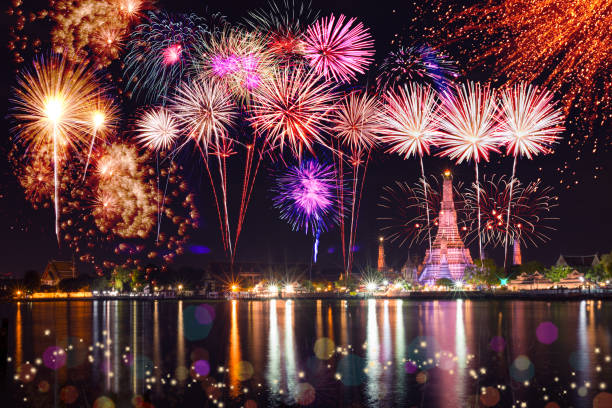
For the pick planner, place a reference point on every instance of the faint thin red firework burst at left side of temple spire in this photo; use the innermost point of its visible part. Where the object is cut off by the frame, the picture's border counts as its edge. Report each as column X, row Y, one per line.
column 405, row 220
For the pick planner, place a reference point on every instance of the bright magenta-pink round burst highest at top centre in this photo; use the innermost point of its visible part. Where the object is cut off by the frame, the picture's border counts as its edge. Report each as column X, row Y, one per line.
column 338, row 50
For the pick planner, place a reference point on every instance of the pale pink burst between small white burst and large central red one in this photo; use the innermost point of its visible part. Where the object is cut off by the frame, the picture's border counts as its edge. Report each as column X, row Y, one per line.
column 205, row 110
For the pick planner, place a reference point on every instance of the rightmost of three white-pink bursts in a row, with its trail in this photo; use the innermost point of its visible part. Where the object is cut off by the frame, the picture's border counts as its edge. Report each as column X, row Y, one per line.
column 530, row 124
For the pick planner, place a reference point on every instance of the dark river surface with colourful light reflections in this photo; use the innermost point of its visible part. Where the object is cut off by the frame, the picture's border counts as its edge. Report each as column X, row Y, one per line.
column 321, row 353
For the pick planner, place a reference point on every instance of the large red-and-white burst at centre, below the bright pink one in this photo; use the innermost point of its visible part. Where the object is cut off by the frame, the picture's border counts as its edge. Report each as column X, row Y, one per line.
column 291, row 108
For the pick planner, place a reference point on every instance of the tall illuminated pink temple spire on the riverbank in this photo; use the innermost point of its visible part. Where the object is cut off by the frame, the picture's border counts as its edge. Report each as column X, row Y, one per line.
column 448, row 257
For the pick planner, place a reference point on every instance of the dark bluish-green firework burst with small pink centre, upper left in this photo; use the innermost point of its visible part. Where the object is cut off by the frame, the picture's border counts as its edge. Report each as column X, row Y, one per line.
column 159, row 53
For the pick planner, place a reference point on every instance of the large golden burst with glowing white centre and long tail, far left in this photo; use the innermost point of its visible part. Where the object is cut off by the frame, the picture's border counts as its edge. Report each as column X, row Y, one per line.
column 51, row 105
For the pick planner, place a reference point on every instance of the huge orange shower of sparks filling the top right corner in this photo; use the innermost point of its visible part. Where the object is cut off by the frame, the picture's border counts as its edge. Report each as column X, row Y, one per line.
column 564, row 44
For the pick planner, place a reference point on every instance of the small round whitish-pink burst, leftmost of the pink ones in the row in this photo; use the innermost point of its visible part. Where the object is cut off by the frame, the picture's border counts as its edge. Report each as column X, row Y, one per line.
column 157, row 129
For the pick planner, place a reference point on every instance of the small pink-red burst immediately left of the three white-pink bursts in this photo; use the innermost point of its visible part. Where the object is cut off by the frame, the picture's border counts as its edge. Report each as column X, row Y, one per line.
column 357, row 121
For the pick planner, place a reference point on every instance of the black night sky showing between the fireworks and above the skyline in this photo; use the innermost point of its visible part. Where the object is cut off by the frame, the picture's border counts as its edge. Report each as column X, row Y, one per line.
column 584, row 224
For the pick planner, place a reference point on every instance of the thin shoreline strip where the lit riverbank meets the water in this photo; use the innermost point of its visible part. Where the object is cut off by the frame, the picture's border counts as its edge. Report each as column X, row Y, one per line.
column 541, row 296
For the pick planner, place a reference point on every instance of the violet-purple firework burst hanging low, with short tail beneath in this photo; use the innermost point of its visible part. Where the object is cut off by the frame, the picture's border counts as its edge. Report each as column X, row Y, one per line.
column 305, row 197
